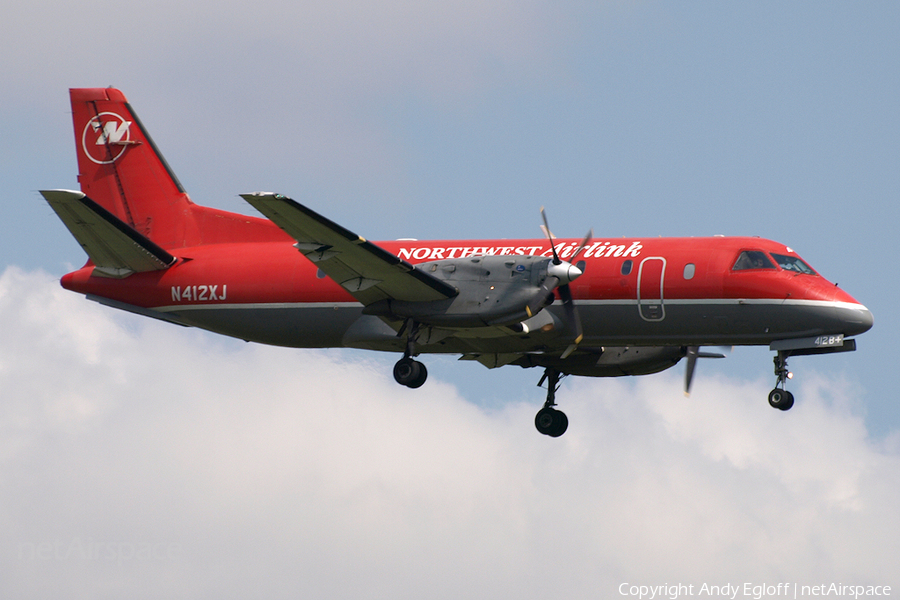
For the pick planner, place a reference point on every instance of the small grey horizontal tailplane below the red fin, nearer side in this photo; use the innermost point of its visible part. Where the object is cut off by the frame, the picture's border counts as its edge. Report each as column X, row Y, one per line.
column 115, row 248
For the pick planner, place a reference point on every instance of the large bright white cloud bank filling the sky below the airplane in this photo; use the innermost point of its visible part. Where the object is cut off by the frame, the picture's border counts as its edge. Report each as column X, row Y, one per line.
column 142, row 459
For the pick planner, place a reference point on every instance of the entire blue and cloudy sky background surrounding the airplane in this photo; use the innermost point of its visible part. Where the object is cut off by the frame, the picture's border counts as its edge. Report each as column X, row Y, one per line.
column 240, row 470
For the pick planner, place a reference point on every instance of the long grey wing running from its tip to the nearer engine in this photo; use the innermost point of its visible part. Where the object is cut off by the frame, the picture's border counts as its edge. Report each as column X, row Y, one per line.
column 369, row 273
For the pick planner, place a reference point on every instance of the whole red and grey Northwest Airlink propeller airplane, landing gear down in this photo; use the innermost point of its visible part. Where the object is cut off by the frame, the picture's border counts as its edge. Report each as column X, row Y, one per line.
column 588, row 307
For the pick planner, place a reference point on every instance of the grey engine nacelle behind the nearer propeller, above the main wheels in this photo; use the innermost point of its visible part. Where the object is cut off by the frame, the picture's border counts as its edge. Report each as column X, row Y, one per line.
column 493, row 290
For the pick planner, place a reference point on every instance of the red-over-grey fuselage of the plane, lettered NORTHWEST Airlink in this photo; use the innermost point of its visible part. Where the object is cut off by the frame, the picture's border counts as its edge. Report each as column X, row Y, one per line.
column 656, row 291
